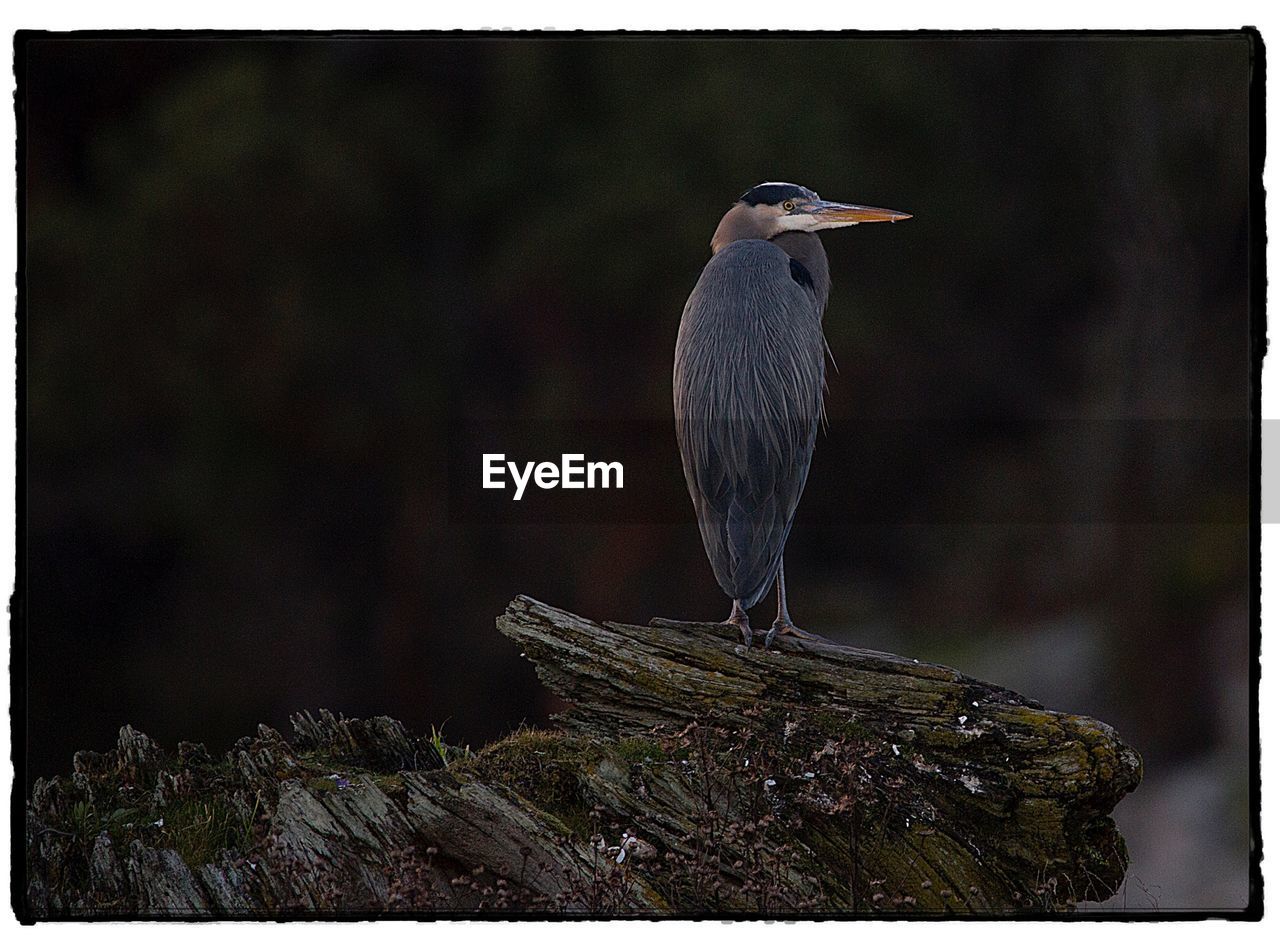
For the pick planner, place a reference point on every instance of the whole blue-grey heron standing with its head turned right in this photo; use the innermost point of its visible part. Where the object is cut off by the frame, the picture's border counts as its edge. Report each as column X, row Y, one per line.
column 749, row 385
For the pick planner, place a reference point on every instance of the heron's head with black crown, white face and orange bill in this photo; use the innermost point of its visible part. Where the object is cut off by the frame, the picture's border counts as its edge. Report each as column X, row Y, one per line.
column 772, row 209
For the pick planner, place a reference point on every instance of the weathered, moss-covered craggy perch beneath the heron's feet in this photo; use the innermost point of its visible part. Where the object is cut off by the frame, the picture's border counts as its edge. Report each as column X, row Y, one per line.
column 691, row 776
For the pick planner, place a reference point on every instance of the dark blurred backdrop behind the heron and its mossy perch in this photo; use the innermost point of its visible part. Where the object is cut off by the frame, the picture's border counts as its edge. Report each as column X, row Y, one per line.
column 275, row 285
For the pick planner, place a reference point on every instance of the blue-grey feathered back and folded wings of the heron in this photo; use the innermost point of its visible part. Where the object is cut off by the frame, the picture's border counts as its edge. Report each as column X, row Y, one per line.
column 748, row 392
